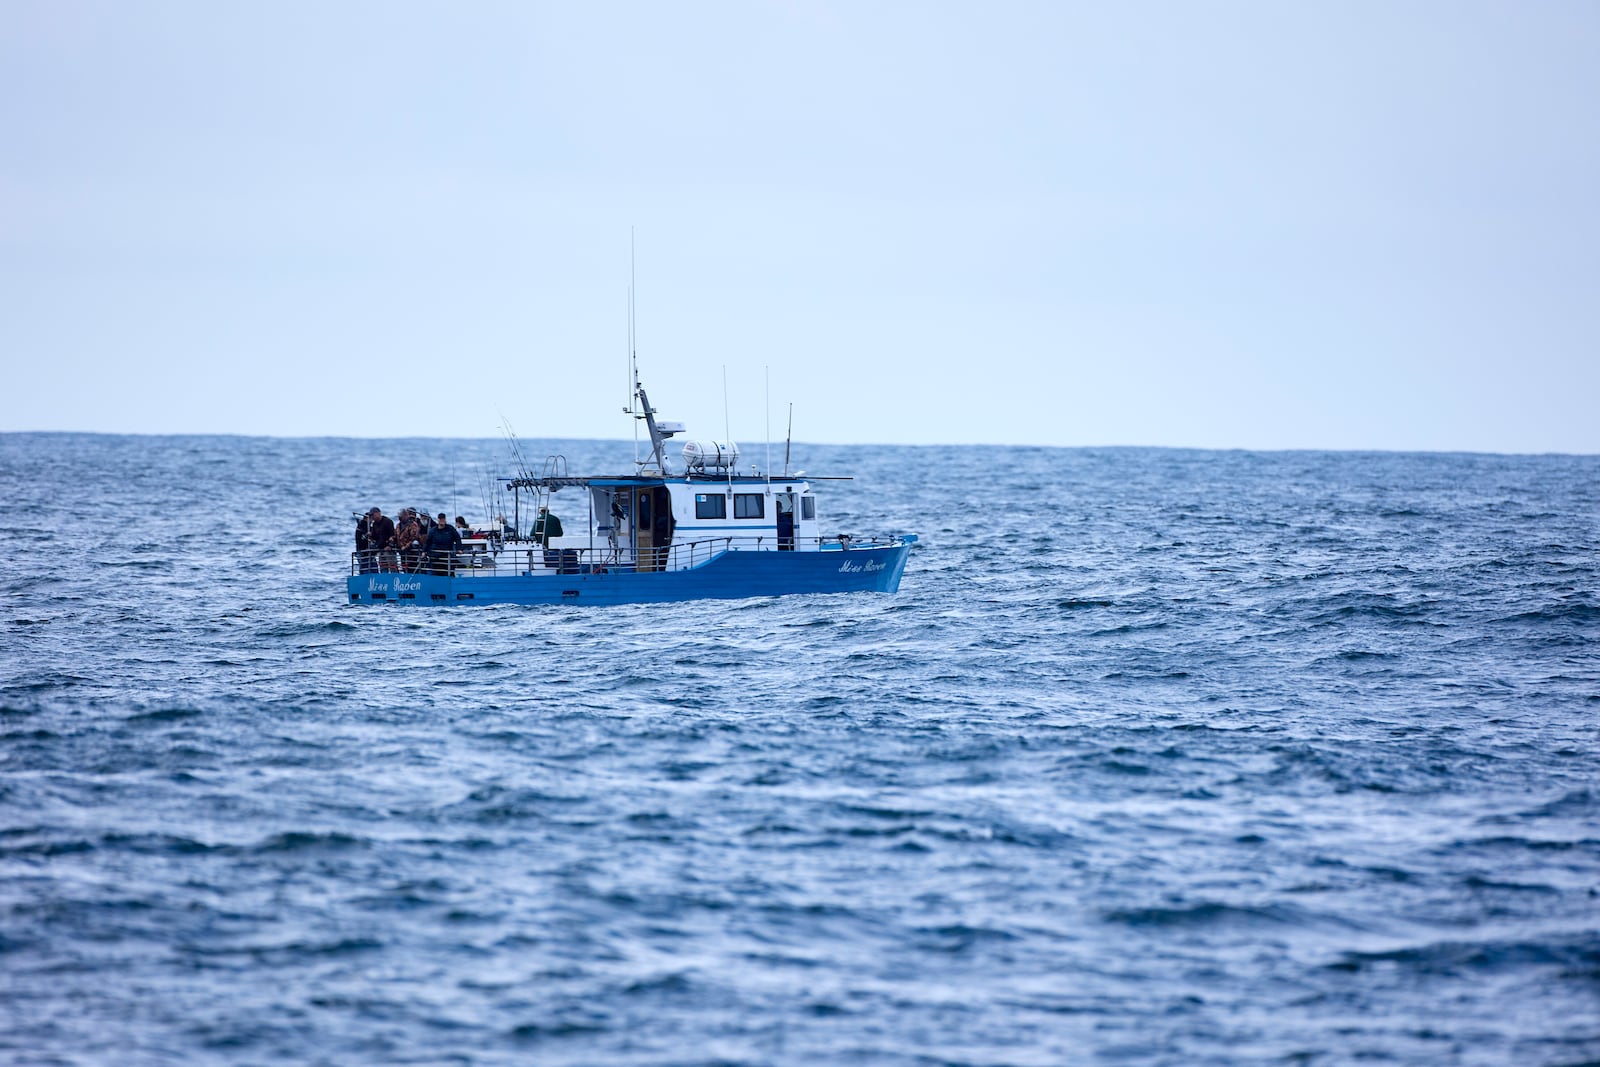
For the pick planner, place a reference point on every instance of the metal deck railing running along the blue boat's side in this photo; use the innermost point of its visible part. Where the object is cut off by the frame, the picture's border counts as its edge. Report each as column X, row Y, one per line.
column 530, row 559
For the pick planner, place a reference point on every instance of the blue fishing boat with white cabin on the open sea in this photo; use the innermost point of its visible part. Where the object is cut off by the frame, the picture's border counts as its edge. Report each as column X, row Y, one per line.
column 671, row 530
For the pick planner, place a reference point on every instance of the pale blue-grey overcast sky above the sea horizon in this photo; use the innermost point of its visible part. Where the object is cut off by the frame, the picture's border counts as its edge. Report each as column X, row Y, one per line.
column 1202, row 225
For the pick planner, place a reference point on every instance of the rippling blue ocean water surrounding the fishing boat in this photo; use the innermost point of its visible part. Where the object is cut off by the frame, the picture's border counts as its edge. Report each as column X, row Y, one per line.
column 1158, row 757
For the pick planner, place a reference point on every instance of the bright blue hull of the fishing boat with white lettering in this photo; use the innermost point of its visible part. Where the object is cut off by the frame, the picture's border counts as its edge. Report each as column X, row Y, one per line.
column 729, row 577
